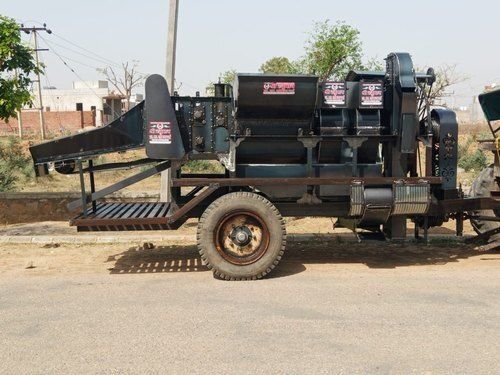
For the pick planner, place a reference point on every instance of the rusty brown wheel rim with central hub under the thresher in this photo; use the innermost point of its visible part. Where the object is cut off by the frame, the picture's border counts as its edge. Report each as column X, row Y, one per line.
column 241, row 237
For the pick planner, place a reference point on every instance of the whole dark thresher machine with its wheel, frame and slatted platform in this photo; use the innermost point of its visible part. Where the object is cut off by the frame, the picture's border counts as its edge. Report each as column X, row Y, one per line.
column 369, row 151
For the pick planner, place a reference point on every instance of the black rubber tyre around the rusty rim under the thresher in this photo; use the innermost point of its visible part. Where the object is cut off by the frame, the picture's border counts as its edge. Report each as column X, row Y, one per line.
column 252, row 202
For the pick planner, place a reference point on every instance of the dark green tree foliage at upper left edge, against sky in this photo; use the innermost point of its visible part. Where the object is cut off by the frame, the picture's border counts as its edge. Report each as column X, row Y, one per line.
column 14, row 57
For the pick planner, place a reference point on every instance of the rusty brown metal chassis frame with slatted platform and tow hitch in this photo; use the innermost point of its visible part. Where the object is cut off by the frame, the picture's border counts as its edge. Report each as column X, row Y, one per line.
column 204, row 185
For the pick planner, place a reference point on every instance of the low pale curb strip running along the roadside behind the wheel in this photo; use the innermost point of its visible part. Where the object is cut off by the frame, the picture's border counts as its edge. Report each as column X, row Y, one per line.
column 171, row 238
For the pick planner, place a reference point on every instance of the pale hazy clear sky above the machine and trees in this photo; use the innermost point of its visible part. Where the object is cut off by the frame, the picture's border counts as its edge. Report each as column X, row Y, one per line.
column 216, row 35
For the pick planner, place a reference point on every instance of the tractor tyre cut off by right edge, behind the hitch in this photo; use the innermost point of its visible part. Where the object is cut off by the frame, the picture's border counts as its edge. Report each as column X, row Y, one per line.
column 481, row 188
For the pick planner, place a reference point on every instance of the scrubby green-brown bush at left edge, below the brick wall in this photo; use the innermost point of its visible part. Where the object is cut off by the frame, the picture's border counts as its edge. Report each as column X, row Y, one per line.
column 14, row 164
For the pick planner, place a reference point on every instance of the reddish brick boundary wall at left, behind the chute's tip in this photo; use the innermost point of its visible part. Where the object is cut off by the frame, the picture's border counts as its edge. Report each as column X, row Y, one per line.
column 55, row 123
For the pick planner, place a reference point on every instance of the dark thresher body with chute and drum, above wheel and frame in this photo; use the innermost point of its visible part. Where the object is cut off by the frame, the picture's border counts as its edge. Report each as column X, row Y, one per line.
column 353, row 144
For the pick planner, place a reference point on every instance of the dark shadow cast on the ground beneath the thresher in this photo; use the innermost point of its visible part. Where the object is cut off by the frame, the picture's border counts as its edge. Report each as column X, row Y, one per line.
column 329, row 250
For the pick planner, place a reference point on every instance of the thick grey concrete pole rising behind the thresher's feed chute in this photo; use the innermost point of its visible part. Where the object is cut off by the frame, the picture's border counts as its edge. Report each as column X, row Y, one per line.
column 173, row 14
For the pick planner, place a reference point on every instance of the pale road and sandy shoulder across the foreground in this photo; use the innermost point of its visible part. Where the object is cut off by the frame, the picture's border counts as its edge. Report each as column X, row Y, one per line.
column 335, row 309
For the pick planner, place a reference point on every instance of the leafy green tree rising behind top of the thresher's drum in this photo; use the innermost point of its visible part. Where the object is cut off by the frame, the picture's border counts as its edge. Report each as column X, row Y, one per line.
column 332, row 50
